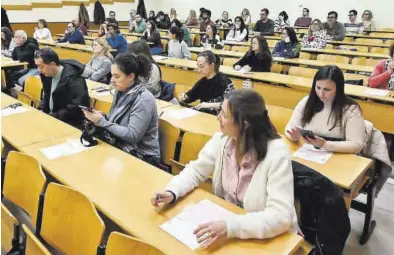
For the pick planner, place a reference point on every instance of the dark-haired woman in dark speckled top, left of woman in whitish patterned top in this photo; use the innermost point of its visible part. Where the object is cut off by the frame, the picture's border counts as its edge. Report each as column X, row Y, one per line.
column 288, row 47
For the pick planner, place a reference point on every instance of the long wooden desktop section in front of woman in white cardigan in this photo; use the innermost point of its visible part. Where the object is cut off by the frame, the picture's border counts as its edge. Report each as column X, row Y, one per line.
column 121, row 186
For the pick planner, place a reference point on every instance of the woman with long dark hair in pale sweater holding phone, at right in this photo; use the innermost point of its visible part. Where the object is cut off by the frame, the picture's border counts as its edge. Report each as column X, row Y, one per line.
column 334, row 118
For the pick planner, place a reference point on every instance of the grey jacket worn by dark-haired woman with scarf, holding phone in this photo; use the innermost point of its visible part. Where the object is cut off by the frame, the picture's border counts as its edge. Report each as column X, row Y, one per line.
column 138, row 128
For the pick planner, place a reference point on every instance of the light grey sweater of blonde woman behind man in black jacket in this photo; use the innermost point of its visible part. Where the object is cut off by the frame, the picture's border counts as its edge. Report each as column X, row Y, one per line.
column 98, row 68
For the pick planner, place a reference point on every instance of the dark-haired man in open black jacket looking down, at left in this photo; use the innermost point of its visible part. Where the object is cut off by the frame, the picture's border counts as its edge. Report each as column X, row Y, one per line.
column 64, row 87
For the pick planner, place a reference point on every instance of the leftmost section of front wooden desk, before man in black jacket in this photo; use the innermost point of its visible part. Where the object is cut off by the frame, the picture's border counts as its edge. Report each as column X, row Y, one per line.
column 30, row 127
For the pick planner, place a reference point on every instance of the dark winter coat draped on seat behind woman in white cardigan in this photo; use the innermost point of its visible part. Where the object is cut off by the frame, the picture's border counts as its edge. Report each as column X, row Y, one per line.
column 325, row 221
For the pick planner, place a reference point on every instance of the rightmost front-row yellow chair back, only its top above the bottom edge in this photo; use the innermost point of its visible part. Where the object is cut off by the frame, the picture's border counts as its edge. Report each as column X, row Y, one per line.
column 121, row 244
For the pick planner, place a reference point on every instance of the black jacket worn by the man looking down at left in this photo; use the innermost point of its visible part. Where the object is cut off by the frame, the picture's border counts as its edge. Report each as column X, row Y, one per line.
column 70, row 92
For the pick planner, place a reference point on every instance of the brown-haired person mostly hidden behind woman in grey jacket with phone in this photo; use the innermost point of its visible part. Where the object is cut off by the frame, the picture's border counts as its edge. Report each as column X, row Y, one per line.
column 153, row 82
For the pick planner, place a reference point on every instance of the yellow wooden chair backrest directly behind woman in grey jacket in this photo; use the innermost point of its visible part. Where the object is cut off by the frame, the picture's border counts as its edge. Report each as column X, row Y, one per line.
column 169, row 136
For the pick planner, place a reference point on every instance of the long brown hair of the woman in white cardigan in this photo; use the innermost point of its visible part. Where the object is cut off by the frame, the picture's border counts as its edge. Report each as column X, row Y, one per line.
column 249, row 113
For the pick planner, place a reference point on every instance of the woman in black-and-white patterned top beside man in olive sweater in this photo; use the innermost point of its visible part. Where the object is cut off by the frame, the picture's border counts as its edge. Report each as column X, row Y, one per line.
column 316, row 37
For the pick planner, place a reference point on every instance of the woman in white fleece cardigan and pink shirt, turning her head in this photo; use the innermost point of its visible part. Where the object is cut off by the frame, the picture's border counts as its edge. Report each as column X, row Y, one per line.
column 252, row 169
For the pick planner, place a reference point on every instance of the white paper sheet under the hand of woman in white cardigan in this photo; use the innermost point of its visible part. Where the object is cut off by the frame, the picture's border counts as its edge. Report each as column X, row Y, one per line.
column 182, row 226
